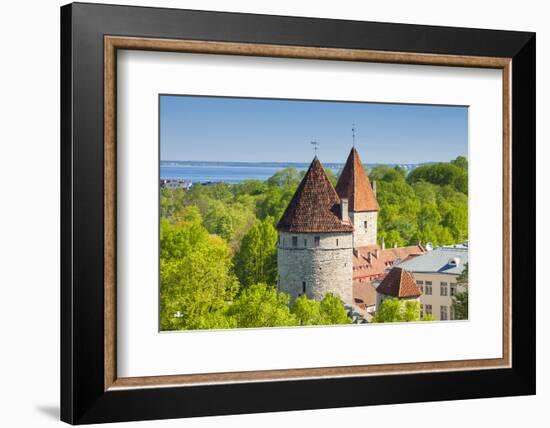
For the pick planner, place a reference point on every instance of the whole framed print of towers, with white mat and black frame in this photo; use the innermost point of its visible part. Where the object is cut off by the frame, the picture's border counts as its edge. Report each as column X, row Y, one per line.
column 266, row 213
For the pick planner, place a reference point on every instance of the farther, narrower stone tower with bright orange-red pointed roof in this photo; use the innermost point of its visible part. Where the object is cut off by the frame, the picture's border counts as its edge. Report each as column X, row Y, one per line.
column 355, row 186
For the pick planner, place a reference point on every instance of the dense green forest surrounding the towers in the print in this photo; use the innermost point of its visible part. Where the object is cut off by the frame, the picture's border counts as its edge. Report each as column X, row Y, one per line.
column 218, row 257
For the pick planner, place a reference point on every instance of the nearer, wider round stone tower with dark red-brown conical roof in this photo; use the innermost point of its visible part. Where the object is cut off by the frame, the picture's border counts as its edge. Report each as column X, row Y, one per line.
column 315, row 248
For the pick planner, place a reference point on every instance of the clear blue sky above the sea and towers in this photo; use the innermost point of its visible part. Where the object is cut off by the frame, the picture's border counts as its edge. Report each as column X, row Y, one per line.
column 267, row 130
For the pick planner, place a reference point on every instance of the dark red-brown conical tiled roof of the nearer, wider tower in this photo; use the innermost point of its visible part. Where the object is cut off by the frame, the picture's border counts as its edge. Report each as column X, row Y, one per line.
column 315, row 207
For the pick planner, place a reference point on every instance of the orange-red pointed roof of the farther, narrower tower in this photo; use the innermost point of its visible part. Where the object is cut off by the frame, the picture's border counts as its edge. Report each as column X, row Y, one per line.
column 354, row 185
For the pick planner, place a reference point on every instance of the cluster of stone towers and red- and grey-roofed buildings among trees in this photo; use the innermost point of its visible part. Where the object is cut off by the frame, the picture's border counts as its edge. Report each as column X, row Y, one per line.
column 328, row 243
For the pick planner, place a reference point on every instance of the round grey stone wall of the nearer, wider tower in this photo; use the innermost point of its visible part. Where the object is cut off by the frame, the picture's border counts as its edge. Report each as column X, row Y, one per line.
column 315, row 268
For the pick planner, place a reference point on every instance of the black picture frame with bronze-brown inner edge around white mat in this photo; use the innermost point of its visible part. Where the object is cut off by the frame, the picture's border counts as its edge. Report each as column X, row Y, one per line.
column 91, row 390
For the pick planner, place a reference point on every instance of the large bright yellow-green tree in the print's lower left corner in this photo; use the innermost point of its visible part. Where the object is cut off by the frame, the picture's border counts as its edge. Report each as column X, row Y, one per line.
column 194, row 291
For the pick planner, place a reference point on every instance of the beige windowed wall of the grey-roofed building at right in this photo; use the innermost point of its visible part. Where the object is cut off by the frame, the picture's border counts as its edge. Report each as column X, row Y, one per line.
column 439, row 301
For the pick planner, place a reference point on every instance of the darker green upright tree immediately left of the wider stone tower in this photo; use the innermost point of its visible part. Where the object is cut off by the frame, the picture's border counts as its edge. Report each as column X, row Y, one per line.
column 256, row 260
